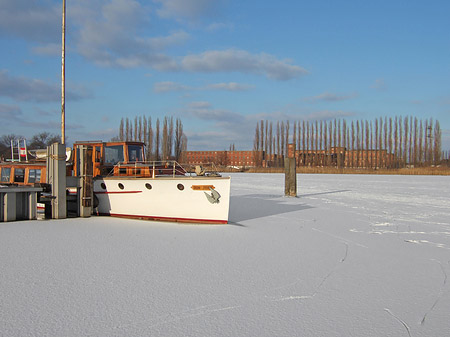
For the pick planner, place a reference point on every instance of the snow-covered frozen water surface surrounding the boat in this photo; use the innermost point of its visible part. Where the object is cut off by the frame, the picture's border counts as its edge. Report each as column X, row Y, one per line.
column 353, row 255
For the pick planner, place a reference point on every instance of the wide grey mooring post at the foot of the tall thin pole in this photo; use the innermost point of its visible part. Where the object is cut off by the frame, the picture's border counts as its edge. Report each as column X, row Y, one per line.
column 56, row 176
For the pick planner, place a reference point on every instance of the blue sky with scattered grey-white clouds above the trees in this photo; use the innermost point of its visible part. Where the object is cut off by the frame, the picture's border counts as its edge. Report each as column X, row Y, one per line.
column 221, row 65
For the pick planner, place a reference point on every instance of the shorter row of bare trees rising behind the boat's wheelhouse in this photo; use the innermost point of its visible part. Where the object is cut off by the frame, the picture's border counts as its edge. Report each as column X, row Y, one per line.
column 163, row 141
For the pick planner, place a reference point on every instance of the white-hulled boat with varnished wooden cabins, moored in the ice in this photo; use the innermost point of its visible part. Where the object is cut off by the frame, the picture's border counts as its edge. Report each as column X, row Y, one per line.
column 125, row 185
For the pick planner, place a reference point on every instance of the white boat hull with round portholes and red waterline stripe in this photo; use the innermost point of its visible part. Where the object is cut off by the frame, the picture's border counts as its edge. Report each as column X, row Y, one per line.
column 180, row 199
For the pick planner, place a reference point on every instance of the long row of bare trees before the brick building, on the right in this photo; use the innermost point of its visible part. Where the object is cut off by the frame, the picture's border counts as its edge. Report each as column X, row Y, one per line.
column 382, row 142
